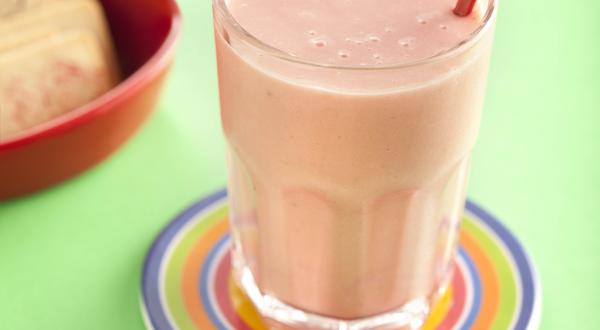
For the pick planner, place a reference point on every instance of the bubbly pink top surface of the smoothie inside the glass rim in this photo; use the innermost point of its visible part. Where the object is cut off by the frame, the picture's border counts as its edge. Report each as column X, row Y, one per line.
column 355, row 32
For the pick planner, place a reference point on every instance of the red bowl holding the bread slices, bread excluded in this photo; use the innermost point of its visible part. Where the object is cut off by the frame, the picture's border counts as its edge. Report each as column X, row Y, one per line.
column 145, row 33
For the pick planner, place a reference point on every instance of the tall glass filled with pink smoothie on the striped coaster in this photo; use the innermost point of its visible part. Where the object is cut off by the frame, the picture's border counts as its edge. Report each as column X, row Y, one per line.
column 350, row 125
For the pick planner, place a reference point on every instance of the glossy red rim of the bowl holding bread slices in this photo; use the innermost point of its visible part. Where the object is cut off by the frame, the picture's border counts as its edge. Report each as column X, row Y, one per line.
column 110, row 100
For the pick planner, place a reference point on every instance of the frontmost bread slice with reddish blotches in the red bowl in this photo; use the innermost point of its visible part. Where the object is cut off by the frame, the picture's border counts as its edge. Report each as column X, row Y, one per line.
column 43, row 80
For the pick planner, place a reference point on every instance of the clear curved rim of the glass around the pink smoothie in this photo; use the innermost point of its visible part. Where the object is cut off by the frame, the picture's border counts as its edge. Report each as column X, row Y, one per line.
column 465, row 44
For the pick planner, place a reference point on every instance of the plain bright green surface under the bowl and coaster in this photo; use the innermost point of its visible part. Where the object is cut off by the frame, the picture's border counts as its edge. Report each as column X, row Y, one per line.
column 71, row 257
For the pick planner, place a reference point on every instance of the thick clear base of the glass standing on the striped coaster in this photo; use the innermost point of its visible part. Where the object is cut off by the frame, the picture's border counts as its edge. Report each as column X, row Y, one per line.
column 410, row 316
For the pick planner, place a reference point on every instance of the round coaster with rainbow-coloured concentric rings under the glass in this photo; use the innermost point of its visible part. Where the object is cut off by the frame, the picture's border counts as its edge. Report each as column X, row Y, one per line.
column 186, row 282
